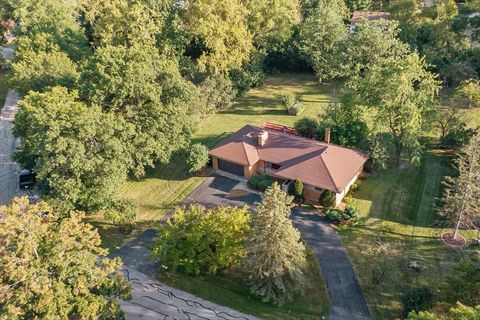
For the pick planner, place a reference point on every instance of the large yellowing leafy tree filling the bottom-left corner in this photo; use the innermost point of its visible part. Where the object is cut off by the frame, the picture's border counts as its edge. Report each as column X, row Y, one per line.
column 55, row 268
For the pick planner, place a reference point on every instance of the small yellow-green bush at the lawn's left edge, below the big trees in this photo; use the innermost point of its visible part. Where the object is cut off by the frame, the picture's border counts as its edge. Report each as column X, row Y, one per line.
column 122, row 213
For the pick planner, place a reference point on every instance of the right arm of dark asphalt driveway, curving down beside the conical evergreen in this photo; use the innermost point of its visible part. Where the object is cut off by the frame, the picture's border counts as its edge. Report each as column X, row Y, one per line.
column 346, row 295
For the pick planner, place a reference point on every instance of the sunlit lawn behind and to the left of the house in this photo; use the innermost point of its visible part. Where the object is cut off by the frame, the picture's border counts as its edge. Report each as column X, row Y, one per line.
column 164, row 186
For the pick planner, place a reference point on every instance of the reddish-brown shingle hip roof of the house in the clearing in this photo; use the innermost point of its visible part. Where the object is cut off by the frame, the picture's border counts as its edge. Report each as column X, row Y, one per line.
column 323, row 165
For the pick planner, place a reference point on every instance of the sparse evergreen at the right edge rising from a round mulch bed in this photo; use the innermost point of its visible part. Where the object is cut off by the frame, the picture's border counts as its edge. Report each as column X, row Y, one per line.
column 462, row 196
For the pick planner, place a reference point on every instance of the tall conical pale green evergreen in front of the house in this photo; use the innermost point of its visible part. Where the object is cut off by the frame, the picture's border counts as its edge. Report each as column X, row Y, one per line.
column 275, row 258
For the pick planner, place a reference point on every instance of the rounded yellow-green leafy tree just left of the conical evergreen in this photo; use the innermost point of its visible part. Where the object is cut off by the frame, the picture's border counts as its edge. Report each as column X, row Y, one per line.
column 195, row 240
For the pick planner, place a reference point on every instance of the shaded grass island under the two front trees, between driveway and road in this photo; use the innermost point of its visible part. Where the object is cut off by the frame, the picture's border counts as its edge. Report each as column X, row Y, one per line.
column 229, row 288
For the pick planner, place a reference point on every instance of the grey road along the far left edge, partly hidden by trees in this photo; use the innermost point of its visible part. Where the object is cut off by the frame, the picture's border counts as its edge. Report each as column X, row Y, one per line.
column 8, row 144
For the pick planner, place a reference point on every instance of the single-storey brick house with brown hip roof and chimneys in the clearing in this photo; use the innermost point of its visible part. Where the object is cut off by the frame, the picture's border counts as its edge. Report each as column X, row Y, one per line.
column 281, row 153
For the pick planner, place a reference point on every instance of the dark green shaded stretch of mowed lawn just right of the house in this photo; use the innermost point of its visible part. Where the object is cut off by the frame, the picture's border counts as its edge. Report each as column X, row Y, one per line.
column 407, row 196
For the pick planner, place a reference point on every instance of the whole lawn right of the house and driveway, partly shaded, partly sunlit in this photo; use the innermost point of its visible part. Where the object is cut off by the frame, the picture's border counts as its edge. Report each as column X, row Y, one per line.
column 398, row 206
